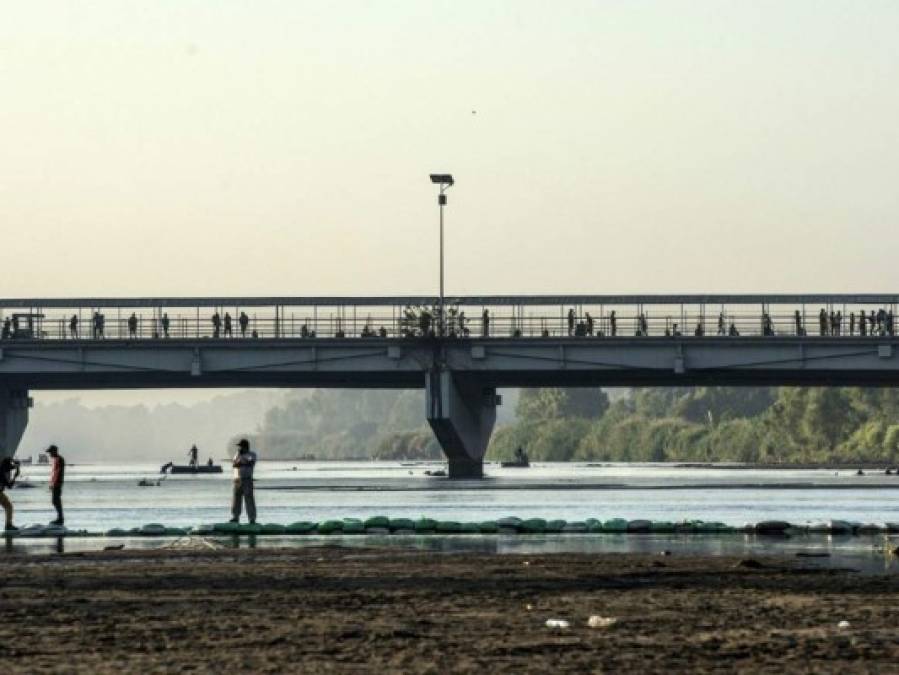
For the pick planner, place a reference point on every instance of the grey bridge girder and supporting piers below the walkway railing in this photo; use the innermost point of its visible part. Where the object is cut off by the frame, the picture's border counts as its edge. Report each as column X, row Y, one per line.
column 460, row 375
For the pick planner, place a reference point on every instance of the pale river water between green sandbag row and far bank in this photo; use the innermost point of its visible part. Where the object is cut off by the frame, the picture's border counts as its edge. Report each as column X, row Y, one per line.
column 99, row 497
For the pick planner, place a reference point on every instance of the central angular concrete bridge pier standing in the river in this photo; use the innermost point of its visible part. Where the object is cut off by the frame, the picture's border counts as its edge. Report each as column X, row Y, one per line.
column 462, row 412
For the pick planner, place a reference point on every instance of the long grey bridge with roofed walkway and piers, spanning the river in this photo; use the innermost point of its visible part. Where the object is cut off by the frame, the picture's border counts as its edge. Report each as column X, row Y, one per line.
column 460, row 357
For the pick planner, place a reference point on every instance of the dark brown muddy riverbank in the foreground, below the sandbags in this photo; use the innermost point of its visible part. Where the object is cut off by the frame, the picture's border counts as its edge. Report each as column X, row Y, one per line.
column 336, row 610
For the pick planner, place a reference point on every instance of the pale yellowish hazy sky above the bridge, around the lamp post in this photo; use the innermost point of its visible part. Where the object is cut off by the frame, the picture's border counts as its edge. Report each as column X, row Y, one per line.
column 220, row 147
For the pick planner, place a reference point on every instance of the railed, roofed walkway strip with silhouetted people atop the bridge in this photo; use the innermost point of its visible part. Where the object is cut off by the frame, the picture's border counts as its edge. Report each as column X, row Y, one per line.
column 528, row 318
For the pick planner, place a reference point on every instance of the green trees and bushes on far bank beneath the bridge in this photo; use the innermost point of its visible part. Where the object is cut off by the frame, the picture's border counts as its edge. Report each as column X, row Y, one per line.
column 703, row 424
